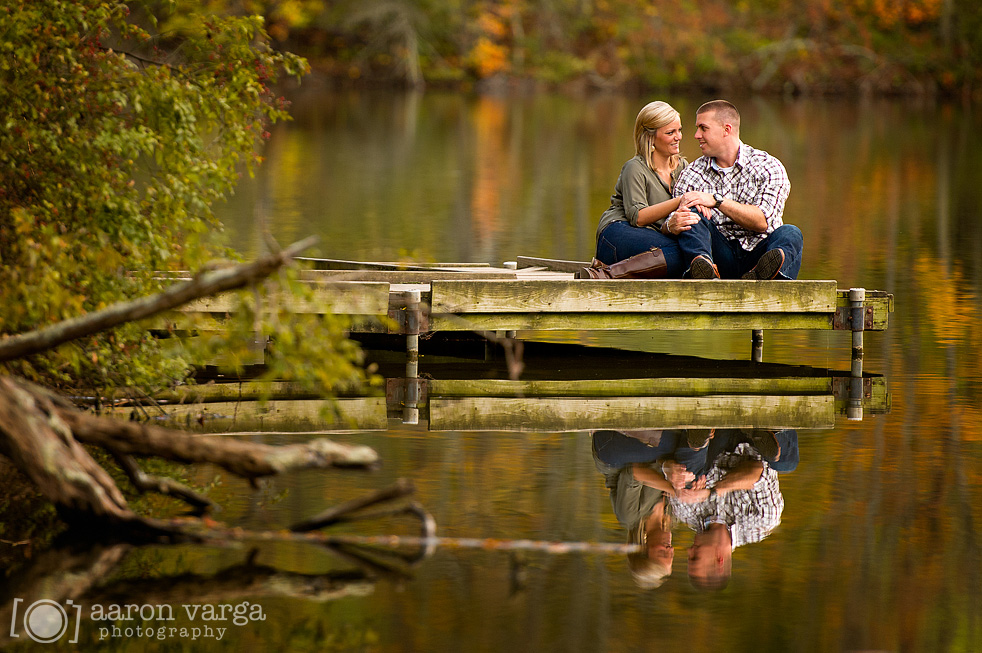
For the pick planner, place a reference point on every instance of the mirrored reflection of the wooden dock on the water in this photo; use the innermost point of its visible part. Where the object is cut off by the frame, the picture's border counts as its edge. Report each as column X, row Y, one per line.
column 592, row 388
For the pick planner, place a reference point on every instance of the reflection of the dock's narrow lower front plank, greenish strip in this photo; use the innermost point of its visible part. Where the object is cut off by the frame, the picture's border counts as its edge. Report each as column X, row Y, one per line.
column 655, row 387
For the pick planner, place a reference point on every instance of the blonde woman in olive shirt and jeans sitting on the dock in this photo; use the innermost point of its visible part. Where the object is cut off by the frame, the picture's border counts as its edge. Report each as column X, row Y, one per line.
column 637, row 218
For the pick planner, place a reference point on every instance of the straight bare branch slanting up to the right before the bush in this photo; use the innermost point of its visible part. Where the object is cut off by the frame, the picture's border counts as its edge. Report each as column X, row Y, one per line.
column 203, row 284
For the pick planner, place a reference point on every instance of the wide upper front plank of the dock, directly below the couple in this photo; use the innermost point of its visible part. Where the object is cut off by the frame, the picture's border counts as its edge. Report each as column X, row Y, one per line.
column 631, row 295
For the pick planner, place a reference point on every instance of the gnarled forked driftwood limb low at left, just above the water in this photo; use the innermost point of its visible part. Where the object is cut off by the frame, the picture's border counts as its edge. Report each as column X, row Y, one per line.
column 43, row 436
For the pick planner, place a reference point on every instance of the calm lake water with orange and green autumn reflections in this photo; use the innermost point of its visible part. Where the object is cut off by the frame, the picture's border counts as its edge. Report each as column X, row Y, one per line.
column 879, row 545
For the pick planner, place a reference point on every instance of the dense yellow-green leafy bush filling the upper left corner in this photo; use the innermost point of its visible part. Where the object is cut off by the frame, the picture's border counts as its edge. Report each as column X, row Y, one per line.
column 115, row 145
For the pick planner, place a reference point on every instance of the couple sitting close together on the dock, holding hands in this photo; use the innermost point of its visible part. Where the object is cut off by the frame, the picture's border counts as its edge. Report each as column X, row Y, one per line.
column 717, row 217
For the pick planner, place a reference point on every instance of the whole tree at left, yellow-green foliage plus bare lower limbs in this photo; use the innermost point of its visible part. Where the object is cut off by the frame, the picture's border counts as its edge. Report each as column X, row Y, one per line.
column 116, row 144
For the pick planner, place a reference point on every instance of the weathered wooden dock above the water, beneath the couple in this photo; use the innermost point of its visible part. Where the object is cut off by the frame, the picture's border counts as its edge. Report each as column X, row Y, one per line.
column 542, row 295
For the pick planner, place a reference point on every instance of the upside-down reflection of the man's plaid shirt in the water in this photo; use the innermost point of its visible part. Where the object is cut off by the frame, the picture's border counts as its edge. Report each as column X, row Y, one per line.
column 751, row 514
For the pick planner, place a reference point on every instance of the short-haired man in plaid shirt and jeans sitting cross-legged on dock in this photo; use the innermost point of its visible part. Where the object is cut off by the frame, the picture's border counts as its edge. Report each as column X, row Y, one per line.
column 729, row 223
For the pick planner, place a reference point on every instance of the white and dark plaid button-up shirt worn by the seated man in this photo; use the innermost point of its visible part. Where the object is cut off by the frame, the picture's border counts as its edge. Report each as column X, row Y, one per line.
column 756, row 178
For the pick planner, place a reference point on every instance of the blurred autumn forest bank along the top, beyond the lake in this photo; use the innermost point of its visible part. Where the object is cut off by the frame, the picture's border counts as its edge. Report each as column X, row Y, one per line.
column 784, row 46
